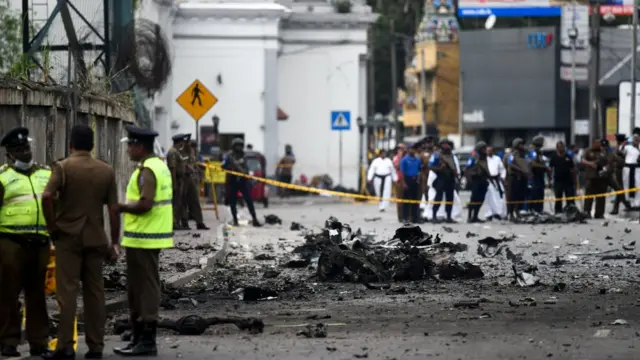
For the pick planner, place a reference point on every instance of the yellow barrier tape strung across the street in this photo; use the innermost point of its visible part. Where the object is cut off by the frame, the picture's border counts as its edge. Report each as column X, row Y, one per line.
column 406, row 201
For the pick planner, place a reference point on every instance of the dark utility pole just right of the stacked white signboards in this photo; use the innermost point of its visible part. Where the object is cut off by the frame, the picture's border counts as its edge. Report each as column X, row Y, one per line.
column 594, row 71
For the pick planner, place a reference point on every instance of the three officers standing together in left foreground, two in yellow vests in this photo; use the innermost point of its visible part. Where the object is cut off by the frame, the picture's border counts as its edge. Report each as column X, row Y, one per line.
column 63, row 205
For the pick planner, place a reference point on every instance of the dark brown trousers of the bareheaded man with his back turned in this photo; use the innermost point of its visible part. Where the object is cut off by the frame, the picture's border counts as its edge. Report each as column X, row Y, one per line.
column 75, row 264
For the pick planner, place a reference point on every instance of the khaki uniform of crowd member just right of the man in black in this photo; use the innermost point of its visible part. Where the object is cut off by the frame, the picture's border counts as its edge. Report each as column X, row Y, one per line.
column 595, row 183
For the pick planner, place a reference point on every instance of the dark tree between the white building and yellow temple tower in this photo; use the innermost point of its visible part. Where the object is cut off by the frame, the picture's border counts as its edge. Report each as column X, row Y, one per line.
column 405, row 16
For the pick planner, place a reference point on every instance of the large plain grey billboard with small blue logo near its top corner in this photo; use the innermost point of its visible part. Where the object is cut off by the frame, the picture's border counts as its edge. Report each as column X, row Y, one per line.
column 512, row 87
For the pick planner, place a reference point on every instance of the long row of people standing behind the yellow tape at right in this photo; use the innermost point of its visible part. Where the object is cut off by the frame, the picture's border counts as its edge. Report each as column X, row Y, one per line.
column 428, row 177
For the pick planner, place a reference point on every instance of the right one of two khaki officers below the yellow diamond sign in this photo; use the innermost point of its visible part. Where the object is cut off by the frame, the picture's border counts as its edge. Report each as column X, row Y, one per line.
column 191, row 189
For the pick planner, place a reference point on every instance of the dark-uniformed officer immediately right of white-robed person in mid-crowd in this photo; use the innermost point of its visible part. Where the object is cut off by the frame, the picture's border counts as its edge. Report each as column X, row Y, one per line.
column 519, row 176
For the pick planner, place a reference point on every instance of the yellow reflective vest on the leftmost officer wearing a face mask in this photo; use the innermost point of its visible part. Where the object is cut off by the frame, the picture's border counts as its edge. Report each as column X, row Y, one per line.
column 21, row 210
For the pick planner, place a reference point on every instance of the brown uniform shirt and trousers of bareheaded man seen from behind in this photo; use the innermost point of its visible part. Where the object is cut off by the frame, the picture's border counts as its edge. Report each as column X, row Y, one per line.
column 84, row 186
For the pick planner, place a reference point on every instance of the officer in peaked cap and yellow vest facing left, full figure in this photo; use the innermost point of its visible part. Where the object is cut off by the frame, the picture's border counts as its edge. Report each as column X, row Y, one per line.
column 148, row 228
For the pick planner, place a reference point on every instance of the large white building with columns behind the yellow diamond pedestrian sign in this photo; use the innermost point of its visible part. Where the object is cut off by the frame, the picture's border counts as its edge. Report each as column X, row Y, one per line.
column 258, row 56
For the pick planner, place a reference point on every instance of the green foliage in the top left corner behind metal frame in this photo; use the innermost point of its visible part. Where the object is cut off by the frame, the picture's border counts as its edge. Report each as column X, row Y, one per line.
column 10, row 37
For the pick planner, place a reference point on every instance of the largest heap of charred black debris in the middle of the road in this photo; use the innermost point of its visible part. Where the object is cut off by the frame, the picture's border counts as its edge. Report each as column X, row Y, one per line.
column 343, row 255
